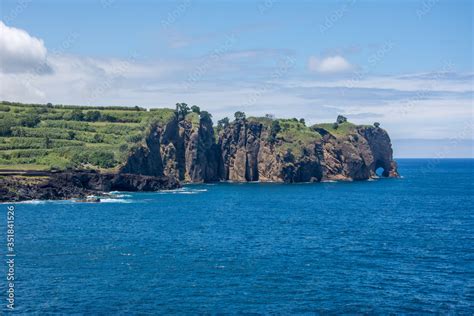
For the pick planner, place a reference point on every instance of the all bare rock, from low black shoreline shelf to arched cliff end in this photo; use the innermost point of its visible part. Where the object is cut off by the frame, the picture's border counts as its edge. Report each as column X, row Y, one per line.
column 187, row 150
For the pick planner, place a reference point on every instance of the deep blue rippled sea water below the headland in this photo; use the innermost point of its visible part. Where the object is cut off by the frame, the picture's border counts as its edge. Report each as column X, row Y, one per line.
column 386, row 246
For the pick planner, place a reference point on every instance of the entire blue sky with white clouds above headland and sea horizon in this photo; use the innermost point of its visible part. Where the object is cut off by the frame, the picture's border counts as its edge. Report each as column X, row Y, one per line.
column 405, row 64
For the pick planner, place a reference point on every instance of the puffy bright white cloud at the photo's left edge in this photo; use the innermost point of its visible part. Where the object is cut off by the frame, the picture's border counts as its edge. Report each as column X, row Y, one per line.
column 21, row 52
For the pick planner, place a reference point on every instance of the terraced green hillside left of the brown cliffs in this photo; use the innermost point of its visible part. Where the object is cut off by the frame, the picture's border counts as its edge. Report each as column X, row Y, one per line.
column 42, row 137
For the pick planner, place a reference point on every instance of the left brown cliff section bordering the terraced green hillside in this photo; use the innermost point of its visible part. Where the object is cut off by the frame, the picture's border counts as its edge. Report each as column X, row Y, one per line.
column 179, row 150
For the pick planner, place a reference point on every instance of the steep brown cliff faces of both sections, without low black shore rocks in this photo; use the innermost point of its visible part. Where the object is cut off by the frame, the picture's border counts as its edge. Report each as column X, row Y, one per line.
column 244, row 151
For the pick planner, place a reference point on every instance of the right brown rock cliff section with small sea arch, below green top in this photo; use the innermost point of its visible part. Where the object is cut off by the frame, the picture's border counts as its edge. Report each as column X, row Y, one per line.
column 248, row 155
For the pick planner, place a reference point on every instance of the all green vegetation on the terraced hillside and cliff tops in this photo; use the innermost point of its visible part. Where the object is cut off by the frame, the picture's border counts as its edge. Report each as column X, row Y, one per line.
column 44, row 137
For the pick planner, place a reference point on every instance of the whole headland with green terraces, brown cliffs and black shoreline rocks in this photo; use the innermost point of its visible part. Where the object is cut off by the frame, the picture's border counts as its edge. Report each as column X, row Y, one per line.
column 62, row 152
